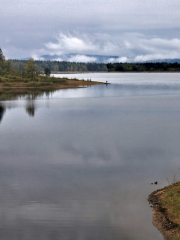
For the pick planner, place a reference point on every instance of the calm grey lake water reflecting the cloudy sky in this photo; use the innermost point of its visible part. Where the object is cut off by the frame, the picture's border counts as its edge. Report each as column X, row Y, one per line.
column 78, row 164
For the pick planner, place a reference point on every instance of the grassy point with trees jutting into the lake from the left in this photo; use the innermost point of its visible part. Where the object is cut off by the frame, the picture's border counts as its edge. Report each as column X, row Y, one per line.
column 31, row 77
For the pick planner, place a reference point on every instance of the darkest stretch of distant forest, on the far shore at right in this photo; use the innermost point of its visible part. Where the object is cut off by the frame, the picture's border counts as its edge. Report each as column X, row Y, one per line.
column 144, row 67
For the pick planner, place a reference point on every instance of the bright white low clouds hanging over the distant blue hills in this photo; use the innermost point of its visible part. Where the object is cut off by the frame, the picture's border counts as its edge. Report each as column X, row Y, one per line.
column 128, row 47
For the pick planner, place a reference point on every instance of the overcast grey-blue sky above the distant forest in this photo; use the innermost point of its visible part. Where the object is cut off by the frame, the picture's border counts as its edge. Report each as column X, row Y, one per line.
column 129, row 29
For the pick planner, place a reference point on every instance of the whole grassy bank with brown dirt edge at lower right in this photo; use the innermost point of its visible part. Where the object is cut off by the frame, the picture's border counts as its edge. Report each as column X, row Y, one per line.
column 166, row 211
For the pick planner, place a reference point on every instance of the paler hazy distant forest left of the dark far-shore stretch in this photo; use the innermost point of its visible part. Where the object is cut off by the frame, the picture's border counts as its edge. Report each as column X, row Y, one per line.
column 63, row 66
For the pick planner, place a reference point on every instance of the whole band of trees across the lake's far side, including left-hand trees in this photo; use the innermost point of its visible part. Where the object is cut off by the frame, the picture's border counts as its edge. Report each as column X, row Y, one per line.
column 32, row 68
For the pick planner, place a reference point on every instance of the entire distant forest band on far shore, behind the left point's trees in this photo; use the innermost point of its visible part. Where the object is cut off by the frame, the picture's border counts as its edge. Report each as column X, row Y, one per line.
column 63, row 66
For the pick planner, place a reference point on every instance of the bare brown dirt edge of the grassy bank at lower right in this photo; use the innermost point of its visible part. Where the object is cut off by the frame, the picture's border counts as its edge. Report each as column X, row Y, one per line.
column 162, row 219
